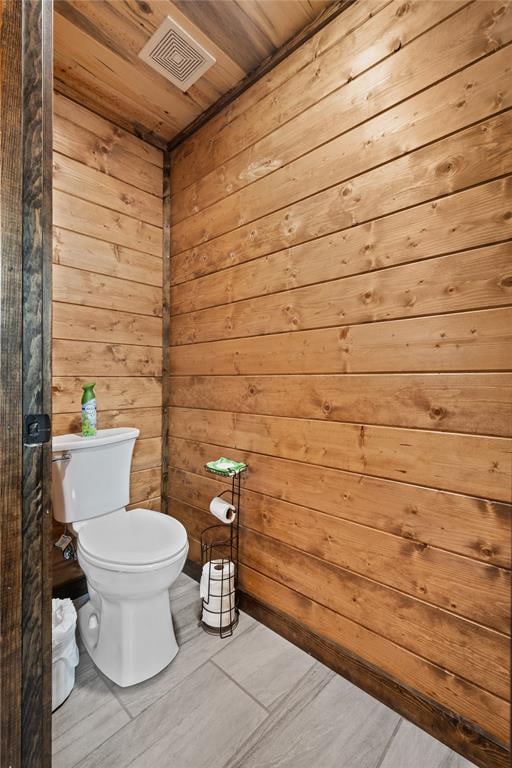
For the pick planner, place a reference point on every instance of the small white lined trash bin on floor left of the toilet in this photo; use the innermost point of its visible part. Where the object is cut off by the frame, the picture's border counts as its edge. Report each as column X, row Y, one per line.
column 64, row 650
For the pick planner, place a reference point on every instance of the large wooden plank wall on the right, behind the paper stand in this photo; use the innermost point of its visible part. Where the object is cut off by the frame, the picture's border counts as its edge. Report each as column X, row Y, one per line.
column 341, row 304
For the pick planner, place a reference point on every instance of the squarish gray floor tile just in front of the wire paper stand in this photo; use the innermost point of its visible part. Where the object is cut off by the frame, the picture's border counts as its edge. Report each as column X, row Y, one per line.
column 264, row 664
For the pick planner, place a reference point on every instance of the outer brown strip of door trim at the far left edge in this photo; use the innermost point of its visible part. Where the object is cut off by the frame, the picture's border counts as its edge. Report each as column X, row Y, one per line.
column 10, row 387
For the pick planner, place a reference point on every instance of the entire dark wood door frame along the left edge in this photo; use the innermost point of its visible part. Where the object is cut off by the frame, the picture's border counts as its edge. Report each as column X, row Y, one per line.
column 25, row 378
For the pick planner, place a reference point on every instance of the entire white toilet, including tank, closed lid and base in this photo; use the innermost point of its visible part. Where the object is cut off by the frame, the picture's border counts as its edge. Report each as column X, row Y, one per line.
column 130, row 558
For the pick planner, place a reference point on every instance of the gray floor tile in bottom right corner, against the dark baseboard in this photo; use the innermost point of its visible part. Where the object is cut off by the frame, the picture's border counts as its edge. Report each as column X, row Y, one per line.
column 413, row 747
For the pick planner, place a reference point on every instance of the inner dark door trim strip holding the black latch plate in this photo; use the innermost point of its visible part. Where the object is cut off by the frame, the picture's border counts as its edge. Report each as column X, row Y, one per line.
column 37, row 54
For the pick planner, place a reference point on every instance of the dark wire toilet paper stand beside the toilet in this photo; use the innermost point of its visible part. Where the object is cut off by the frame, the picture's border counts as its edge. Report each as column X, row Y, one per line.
column 221, row 542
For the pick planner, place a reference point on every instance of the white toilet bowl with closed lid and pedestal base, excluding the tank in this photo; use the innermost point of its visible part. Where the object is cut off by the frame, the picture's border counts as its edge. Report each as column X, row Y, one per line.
column 130, row 560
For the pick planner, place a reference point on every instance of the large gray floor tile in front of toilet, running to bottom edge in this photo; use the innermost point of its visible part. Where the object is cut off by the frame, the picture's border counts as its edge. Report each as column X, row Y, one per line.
column 199, row 724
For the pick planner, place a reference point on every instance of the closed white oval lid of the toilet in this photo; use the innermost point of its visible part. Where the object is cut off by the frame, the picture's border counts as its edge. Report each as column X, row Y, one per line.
column 133, row 537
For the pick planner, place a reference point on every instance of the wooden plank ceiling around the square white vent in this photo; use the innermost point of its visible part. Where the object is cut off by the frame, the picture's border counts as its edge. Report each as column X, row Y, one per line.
column 97, row 44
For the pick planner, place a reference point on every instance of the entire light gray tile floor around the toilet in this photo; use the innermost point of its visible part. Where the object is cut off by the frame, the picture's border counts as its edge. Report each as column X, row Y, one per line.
column 251, row 701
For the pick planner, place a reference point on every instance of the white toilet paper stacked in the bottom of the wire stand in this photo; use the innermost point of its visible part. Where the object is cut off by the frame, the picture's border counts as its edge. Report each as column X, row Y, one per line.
column 218, row 579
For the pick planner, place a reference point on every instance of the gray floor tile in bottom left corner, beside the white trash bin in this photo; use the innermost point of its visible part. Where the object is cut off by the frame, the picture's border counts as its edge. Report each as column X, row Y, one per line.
column 89, row 716
